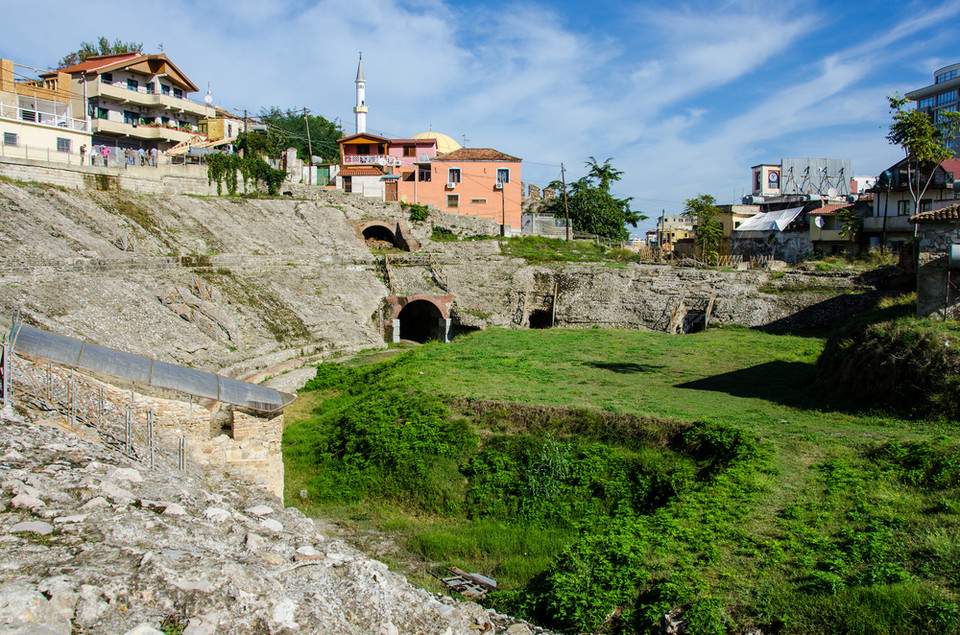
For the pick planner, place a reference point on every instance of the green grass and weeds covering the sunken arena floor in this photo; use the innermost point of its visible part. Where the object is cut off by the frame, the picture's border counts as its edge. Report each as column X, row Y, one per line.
column 605, row 472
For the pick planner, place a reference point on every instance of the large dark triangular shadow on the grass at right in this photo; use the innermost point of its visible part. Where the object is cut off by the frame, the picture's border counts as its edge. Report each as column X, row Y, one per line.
column 786, row 383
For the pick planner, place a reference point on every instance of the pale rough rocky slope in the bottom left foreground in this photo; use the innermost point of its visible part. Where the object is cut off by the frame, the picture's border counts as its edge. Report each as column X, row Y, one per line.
column 92, row 543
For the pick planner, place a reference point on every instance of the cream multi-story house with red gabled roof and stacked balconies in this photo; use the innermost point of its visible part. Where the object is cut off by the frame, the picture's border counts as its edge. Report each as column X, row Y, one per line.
column 136, row 101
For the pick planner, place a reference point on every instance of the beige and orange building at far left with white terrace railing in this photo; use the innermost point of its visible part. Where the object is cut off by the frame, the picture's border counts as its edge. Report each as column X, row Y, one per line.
column 38, row 118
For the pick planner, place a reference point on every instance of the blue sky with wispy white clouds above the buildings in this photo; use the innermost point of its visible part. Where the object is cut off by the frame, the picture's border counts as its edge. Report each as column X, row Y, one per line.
column 685, row 96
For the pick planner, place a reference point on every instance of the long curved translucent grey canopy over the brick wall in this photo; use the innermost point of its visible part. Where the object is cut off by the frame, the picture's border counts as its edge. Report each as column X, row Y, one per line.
column 81, row 354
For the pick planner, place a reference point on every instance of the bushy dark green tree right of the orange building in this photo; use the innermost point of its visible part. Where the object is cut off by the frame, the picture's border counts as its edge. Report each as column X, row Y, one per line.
column 593, row 208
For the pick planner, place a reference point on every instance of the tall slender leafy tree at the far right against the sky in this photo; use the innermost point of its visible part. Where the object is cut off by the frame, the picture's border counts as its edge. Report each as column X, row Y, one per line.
column 923, row 140
